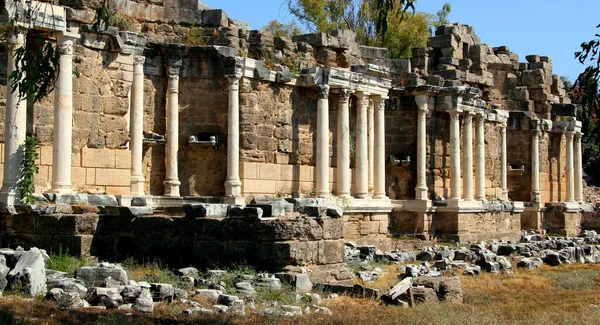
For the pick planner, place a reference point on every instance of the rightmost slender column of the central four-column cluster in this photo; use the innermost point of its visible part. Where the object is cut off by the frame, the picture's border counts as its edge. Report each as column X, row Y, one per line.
column 379, row 144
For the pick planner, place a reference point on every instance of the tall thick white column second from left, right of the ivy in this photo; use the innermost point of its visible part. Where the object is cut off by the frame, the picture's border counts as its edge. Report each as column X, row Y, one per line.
column 63, row 118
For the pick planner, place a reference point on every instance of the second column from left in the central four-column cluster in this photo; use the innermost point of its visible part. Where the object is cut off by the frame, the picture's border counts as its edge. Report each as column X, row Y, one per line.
column 343, row 147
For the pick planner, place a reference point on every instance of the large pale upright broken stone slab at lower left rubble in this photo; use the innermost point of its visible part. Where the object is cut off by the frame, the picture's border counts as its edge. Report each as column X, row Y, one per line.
column 29, row 274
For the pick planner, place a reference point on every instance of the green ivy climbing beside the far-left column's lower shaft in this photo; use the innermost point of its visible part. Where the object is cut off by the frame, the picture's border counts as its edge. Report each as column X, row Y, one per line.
column 28, row 170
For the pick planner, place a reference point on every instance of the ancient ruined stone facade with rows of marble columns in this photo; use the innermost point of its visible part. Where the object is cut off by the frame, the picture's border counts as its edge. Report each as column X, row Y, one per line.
column 190, row 137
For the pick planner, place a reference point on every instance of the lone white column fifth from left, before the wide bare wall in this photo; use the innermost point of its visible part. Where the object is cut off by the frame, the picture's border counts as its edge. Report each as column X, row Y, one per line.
column 233, row 184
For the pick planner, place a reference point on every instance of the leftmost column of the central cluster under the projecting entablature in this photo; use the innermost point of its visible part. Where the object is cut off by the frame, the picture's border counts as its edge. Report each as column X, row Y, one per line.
column 322, row 168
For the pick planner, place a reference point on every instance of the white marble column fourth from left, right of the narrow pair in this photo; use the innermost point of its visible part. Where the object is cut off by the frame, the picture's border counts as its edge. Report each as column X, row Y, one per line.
column 172, row 182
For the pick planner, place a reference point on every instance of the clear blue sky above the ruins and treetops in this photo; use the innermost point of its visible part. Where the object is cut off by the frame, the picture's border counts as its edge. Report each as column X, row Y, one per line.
column 555, row 28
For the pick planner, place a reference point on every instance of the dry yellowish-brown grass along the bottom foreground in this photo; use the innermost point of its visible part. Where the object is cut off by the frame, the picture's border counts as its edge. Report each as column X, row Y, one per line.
column 527, row 297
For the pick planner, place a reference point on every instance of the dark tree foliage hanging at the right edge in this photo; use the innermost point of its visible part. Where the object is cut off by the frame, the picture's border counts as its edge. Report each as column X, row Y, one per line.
column 585, row 93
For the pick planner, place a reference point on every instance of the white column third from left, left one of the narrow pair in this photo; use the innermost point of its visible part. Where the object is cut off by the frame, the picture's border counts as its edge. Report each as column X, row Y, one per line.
column 136, row 126
